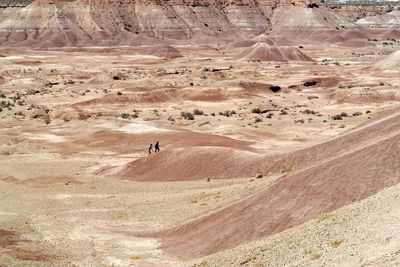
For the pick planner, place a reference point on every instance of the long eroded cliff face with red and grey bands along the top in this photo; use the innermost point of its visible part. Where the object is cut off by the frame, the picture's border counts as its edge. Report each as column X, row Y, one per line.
column 96, row 22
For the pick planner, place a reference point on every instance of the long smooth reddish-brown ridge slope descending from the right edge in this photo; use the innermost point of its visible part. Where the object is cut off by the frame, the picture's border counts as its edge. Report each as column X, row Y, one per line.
column 336, row 173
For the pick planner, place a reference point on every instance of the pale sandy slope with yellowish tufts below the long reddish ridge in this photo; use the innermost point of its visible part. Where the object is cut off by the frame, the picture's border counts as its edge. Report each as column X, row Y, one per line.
column 361, row 234
